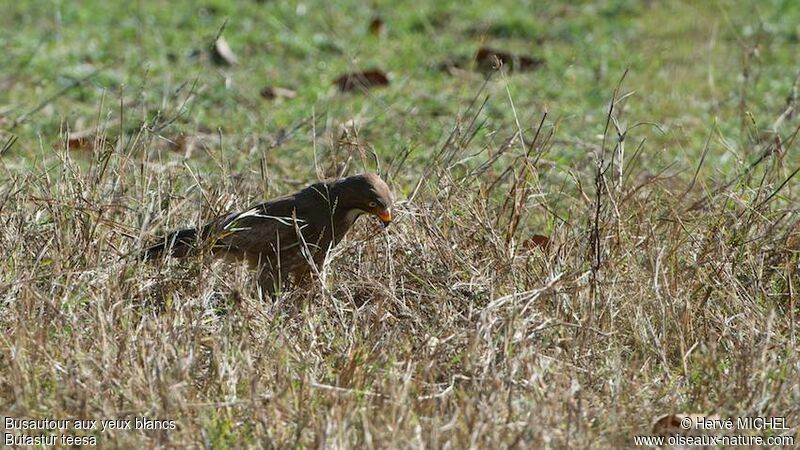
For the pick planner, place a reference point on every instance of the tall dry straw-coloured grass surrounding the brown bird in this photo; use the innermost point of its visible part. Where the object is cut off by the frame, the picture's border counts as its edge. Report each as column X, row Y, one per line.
column 657, row 293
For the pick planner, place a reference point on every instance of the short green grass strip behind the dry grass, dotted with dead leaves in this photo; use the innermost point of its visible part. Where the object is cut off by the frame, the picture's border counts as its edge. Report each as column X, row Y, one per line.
column 685, row 69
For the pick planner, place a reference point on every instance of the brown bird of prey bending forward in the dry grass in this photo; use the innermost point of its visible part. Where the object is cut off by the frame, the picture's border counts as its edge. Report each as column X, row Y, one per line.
column 287, row 236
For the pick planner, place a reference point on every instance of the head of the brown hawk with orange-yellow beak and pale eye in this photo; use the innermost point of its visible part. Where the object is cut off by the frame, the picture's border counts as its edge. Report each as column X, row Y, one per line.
column 365, row 193
